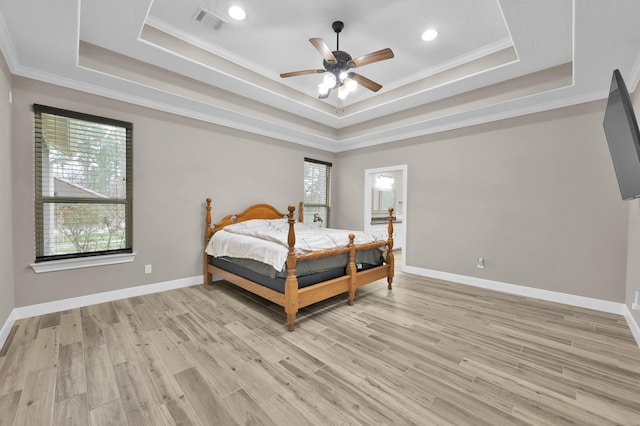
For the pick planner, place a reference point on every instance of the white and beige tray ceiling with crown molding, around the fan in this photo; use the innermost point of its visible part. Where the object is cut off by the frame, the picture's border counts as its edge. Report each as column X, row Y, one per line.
column 491, row 60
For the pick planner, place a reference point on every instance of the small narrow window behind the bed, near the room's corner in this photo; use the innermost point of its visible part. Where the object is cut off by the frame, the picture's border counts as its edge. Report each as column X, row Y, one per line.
column 317, row 192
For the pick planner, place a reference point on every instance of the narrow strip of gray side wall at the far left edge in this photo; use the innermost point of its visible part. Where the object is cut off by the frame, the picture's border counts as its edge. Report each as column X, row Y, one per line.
column 6, row 221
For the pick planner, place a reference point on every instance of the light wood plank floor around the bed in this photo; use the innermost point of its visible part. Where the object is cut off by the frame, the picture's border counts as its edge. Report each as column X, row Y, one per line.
column 423, row 353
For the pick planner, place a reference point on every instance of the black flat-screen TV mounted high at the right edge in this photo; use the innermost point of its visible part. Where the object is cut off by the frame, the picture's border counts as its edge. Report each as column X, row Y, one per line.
column 621, row 130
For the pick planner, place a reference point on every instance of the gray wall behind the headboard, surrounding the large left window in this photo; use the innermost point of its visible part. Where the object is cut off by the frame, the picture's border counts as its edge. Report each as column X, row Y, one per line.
column 178, row 162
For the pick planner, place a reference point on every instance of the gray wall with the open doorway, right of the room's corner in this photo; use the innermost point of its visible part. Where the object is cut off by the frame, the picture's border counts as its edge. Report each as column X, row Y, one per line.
column 536, row 196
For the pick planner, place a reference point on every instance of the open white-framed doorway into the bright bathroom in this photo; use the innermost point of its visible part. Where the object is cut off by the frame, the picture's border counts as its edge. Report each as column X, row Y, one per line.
column 386, row 187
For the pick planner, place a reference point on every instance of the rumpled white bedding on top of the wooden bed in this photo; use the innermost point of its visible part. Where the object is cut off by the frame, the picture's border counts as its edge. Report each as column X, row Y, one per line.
column 265, row 240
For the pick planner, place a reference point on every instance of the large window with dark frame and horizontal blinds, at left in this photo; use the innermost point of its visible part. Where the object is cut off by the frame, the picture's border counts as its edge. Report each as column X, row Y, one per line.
column 82, row 185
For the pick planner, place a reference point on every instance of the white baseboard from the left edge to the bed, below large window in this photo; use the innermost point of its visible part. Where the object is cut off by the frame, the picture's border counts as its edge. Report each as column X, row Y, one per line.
column 92, row 299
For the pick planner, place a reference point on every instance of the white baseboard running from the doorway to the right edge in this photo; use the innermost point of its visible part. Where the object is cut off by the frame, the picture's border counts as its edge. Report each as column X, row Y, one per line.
column 536, row 293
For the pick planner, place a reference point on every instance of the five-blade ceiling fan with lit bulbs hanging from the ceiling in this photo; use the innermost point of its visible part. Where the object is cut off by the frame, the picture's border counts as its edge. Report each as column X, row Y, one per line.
column 337, row 67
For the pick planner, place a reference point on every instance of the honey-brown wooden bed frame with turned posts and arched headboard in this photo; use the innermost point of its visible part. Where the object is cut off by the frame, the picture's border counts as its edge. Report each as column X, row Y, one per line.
column 293, row 297
